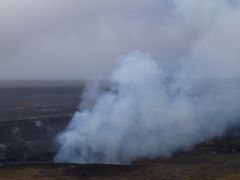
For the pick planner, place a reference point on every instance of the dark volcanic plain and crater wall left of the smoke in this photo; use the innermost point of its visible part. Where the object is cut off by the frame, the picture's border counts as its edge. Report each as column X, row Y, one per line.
column 30, row 118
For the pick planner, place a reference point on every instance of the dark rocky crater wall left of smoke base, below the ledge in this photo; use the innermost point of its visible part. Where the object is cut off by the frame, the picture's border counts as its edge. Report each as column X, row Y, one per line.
column 28, row 141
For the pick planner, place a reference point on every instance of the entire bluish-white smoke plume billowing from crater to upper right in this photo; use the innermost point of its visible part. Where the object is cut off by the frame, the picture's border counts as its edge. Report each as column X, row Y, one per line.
column 152, row 110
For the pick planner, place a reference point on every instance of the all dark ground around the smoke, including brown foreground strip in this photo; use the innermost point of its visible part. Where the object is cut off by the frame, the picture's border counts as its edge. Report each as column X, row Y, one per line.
column 31, row 115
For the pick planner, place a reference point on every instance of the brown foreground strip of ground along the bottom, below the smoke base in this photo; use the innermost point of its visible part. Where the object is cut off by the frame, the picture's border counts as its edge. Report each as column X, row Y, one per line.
column 219, row 166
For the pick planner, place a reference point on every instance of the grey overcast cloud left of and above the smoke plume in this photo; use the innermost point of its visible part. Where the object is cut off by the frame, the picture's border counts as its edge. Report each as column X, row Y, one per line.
column 78, row 39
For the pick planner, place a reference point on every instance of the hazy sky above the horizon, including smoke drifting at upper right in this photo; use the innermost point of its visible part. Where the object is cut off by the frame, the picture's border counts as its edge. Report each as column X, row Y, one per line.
column 75, row 39
